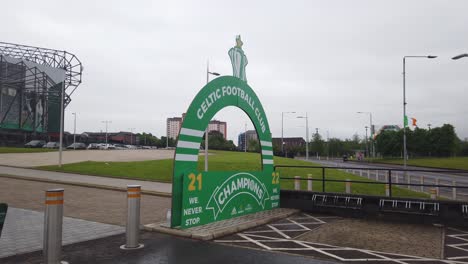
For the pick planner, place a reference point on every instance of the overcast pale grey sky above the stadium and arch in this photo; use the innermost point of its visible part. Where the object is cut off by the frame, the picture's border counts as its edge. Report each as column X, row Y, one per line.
column 144, row 61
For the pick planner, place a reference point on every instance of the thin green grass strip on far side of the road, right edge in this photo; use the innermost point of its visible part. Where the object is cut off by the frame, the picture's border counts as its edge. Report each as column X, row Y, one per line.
column 449, row 163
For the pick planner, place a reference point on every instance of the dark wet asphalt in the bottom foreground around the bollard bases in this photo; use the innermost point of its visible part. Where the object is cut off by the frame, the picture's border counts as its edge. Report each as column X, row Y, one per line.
column 160, row 248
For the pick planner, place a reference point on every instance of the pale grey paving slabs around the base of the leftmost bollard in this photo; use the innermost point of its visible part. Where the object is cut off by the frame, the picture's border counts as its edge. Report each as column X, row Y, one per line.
column 24, row 230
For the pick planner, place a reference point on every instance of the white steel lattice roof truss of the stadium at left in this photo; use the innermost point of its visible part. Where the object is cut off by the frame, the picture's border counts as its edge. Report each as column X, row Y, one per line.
column 50, row 58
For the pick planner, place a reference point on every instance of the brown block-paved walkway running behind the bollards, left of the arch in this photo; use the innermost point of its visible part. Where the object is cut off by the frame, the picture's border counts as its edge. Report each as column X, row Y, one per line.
column 92, row 204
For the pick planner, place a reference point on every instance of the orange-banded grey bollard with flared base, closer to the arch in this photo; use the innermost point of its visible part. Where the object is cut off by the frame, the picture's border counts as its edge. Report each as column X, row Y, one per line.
column 132, row 234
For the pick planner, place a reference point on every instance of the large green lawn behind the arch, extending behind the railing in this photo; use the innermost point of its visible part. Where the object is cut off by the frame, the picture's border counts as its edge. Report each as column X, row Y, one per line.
column 161, row 170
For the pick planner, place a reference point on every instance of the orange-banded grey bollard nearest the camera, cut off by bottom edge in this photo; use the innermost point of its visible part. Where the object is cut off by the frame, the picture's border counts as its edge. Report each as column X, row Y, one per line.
column 53, row 220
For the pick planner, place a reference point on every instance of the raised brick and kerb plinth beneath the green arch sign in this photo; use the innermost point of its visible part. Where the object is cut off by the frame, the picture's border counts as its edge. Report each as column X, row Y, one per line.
column 211, row 234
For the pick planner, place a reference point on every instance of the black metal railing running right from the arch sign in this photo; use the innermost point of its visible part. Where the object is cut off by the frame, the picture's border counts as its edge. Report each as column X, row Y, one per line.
column 389, row 176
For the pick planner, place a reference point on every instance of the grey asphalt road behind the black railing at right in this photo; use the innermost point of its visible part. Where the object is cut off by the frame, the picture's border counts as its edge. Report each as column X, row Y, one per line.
column 419, row 175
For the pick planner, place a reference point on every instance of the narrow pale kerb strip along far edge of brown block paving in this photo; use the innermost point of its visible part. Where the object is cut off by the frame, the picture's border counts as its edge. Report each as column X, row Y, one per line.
column 89, row 185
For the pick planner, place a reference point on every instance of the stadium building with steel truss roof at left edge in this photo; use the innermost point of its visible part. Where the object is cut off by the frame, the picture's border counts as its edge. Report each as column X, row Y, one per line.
column 31, row 83
